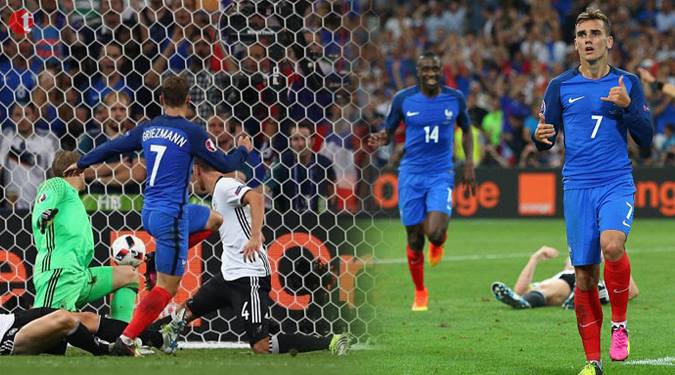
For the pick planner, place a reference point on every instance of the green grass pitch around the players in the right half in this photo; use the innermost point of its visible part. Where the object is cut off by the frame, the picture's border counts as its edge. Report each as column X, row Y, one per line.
column 466, row 331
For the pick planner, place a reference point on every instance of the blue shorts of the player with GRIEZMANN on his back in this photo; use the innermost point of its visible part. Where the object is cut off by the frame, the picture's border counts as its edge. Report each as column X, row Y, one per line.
column 171, row 235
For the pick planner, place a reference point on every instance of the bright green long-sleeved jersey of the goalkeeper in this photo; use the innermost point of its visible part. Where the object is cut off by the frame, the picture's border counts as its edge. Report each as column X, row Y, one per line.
column 68, row 242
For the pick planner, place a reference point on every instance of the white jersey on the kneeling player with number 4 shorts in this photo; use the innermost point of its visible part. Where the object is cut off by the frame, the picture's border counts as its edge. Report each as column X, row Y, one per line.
column 236, row 230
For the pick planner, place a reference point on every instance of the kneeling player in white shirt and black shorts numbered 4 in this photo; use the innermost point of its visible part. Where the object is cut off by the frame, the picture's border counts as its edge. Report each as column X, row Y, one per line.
column 244, row 282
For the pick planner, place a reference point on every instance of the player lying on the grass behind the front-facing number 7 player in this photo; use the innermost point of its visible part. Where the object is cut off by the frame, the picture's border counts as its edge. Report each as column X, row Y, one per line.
column 557, row 290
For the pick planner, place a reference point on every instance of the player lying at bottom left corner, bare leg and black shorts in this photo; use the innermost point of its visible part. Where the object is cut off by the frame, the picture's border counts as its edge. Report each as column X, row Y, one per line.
column 48, row 331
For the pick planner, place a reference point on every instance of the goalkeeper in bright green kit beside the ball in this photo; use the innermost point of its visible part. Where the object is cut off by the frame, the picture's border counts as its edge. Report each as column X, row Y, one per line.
column 65, row 244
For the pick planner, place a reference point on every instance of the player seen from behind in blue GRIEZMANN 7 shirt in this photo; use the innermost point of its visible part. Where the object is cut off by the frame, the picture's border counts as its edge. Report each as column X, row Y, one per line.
column 169, row 143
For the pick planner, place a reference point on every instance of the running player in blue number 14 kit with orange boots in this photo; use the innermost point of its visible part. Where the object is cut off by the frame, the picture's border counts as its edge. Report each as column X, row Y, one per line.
column 426, row 176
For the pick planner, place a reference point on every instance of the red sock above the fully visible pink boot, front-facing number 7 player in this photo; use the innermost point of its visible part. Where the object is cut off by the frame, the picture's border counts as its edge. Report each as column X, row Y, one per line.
column 617, row 280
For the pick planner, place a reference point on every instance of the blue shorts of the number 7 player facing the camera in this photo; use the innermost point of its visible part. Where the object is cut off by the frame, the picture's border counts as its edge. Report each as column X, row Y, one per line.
column 589, row 212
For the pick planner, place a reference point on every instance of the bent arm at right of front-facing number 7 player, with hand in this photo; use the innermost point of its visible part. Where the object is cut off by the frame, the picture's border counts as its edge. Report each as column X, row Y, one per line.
column 636, row 114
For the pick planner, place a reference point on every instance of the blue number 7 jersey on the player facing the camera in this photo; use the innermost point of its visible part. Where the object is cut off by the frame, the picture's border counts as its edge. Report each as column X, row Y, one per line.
column 595, row 131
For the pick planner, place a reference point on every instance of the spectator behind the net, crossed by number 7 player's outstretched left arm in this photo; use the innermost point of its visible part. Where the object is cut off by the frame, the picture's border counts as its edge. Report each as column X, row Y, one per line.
column 113, row 117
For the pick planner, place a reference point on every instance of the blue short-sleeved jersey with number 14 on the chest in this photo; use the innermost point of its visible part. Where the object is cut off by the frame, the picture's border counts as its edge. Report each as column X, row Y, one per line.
column 430, row 127
